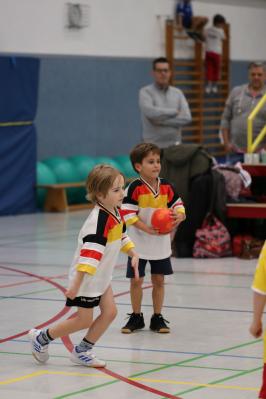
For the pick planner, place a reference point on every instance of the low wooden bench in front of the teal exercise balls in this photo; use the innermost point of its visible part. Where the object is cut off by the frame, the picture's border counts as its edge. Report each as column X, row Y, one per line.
column 56, row 197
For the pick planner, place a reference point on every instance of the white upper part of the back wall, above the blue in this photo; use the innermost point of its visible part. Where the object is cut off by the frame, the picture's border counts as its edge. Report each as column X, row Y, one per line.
column 118, row 28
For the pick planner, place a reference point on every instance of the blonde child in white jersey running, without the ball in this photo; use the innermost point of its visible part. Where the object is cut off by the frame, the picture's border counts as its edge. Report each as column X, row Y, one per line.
column 100, row 239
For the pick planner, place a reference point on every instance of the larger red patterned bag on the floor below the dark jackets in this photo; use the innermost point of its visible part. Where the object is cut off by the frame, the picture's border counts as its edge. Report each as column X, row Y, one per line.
column 212, row 239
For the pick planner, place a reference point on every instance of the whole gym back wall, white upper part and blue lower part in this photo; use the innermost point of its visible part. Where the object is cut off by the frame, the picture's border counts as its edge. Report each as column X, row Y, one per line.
column 90, row 77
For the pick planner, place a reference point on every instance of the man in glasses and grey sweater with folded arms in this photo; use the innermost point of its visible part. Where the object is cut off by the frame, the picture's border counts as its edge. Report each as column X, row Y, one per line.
column 164, row 108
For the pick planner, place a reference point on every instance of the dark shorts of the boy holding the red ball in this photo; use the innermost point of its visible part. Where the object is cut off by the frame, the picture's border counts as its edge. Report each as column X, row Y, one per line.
column 158, row 266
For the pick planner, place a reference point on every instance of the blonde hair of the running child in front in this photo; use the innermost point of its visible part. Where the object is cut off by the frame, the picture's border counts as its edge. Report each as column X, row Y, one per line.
column 100, row 180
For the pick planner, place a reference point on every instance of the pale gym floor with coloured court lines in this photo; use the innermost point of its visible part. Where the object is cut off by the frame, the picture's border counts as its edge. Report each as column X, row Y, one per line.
column 209, row 353
